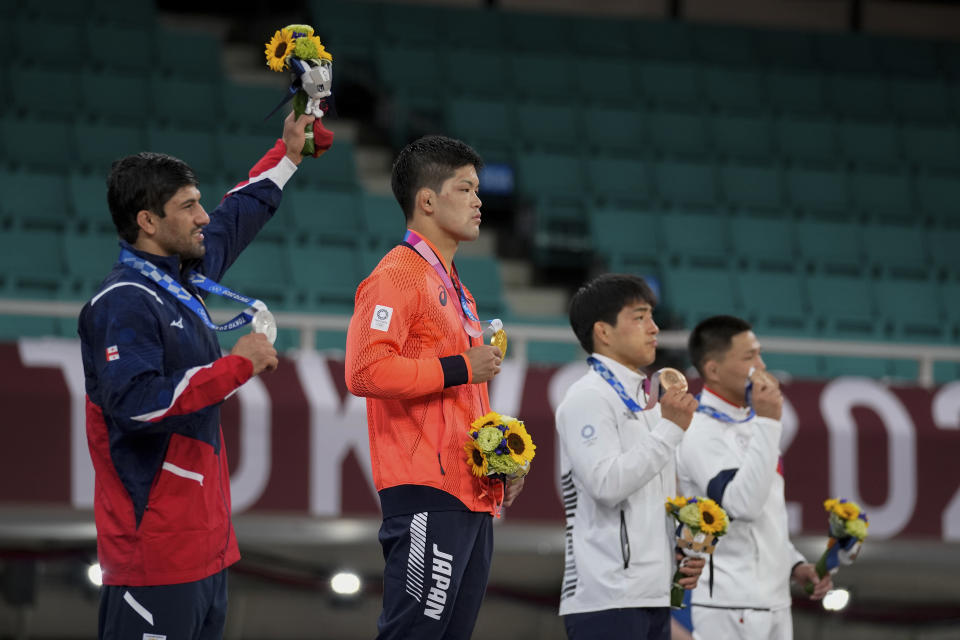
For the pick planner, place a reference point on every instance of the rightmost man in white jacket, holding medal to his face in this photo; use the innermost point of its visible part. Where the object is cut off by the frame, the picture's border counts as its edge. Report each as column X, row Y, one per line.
column 731, row 453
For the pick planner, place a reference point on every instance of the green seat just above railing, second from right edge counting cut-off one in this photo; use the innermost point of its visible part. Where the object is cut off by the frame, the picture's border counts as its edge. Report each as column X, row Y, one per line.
column 911, row 310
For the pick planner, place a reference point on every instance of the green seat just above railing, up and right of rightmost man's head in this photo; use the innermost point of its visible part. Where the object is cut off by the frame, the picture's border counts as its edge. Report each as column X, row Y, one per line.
column 775, row 302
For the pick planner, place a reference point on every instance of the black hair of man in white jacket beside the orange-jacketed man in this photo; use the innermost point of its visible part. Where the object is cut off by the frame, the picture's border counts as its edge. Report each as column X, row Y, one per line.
column 601, row 299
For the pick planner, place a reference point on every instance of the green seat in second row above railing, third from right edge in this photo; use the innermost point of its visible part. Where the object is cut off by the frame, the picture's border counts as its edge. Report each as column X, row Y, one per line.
column 831, row 247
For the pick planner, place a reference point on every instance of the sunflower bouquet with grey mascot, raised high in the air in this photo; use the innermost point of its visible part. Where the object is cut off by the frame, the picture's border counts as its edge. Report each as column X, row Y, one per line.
column 297, row 49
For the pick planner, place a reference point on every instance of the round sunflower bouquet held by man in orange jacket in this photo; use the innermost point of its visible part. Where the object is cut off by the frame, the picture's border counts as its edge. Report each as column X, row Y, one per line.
column 499, row 446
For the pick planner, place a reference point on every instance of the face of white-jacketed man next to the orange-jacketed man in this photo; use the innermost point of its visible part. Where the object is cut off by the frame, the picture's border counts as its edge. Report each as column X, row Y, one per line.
column 633, row 340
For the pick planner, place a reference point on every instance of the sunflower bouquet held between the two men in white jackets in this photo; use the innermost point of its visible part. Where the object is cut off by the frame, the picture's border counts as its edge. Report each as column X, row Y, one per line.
column 700, row 523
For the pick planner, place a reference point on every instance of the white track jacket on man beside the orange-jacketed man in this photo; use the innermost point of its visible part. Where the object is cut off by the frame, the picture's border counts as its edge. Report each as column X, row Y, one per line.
column 618, row 468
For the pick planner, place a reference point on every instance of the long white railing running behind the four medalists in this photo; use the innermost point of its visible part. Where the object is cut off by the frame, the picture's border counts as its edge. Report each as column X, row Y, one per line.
column 522, row 334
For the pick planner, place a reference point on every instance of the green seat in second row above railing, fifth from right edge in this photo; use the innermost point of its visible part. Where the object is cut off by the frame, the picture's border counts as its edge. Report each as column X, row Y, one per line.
column 696, row 239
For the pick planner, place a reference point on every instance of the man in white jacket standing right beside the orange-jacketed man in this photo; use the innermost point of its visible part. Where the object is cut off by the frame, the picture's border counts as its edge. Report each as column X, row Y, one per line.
column 618, row 468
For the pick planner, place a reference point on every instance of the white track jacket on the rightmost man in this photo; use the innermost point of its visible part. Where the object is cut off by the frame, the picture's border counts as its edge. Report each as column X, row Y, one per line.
column 738, row 466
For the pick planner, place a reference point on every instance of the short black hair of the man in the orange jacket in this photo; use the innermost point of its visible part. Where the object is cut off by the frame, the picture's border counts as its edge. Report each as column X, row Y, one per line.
column 428, row 162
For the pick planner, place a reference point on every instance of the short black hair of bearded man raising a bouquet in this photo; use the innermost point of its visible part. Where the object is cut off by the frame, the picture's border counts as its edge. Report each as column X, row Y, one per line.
column 147, row 181
